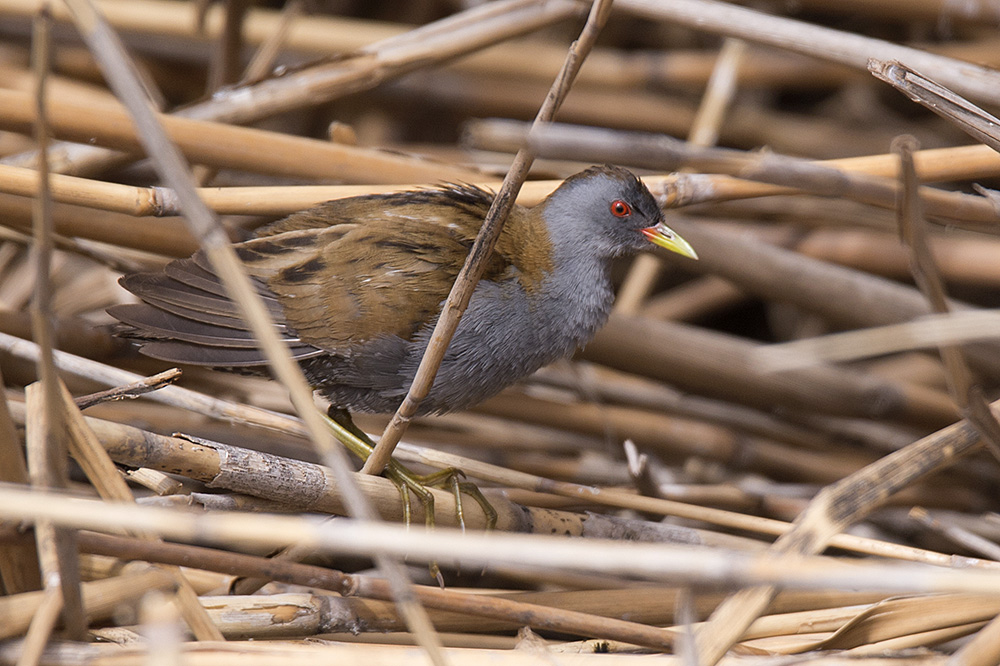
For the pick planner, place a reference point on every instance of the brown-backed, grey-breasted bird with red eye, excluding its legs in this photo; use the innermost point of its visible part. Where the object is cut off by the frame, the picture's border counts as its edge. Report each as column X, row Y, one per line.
column 355, row 286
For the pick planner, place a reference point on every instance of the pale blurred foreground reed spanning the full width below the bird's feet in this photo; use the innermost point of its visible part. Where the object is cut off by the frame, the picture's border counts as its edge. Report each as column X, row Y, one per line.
column 665, row 562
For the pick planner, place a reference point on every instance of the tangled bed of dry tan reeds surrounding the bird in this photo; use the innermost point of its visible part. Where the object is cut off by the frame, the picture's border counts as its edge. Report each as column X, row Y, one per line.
column 785, row 448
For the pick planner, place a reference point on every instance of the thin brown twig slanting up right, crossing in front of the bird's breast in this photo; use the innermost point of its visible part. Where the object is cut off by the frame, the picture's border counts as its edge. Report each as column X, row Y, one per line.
column 482, row 249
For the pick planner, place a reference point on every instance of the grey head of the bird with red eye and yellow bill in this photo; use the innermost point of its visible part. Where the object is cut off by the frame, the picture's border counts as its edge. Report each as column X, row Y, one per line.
column 608, row 209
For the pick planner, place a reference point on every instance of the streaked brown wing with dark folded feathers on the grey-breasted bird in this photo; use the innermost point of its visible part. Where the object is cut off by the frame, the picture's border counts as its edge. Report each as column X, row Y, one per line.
column 329, row 288
